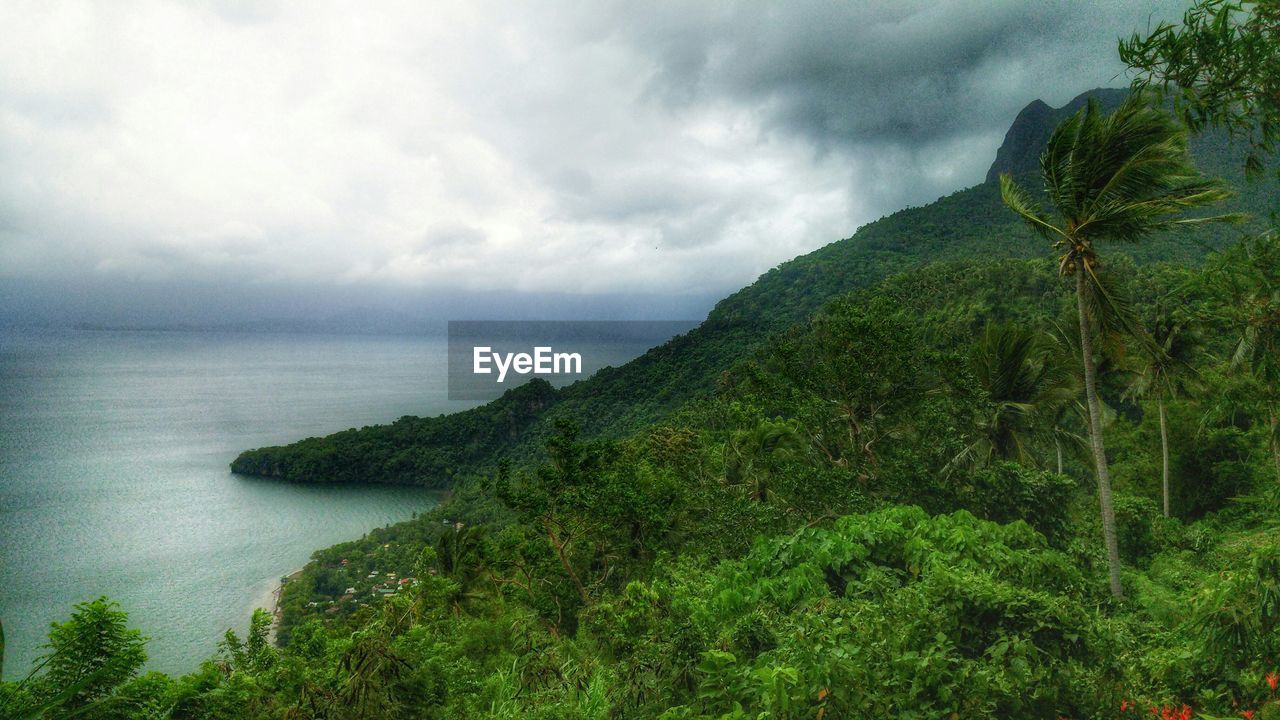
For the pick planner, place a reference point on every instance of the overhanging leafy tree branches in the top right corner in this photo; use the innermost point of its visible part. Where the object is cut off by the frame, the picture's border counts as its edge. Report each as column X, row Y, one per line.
column 1223, row 67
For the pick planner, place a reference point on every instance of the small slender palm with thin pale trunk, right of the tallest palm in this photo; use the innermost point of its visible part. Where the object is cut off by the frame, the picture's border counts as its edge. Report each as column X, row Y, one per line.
column 1165, row 372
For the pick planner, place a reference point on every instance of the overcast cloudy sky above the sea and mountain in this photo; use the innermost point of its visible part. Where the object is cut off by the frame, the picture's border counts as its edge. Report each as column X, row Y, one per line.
column 254, row 158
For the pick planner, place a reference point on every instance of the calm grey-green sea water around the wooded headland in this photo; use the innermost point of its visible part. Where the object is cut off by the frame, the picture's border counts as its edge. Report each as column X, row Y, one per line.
column 115, row 452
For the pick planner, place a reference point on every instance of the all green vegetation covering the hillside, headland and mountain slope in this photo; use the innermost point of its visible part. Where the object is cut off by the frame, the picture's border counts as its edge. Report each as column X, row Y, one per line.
column 1036, row 477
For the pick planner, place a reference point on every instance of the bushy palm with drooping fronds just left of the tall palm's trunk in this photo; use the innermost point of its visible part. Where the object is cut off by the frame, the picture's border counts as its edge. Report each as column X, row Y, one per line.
column 1028, row 390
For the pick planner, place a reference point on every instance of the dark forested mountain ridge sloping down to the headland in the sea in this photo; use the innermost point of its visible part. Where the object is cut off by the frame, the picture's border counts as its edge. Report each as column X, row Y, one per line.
column 972, row 224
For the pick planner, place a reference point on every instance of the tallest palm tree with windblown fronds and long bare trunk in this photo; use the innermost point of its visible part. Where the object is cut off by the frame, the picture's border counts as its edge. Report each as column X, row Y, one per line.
column 1114, row 177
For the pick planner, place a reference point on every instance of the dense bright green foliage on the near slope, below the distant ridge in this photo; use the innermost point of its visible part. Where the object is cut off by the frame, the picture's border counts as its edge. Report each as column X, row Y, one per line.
column 815, row 539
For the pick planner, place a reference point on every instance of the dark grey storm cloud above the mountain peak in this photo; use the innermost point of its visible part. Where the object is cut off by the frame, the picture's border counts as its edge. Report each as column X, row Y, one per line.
column 902, row 72
